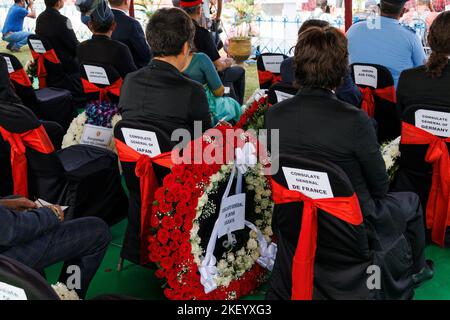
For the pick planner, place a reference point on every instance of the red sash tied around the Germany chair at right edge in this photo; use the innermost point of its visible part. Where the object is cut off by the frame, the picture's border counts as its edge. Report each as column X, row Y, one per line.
column 438, row 206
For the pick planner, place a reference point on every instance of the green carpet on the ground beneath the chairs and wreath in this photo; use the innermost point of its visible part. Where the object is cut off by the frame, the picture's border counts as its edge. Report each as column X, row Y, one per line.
column 139, row 282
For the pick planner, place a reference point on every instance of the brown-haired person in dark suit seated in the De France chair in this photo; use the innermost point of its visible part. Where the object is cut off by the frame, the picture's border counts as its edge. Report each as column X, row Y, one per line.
column 315, row 123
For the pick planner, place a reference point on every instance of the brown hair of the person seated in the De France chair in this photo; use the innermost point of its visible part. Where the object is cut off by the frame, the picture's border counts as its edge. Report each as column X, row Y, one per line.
column 321, row 58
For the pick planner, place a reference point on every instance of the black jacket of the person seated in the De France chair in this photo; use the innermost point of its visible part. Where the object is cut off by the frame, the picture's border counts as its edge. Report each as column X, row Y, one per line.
column 315, row 123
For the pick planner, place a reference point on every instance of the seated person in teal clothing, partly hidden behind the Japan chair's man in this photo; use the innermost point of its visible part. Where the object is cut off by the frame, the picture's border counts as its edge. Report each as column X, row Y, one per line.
column 201, row 69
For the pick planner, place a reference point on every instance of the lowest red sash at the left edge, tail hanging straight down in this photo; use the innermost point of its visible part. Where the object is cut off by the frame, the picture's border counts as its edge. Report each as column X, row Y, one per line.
column 36, row 139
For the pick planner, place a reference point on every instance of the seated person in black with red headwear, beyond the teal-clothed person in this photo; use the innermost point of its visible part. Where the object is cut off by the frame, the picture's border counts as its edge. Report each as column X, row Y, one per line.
column 231, row 75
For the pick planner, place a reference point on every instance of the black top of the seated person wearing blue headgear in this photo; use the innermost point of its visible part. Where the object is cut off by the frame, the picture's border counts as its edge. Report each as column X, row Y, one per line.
column 101, row 49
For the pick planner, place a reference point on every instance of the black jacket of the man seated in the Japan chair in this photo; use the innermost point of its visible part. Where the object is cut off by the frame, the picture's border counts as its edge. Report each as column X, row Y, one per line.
column 161, row 95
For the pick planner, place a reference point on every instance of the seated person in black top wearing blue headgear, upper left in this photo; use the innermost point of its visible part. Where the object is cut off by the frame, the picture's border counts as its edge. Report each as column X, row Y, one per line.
column 101, row 48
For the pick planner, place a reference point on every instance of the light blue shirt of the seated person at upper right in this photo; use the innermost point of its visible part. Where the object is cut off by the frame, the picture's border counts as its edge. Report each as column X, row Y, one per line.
column 392, row 45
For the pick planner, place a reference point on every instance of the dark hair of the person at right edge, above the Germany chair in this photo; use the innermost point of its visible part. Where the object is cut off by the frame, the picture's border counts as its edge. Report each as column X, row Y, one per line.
column 439, row 41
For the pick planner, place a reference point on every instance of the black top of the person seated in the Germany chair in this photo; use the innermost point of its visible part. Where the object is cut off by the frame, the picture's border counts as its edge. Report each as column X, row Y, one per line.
column 416, row 87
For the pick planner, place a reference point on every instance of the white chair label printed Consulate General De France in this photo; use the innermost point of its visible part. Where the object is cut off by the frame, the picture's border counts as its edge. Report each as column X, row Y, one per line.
column 314, row 184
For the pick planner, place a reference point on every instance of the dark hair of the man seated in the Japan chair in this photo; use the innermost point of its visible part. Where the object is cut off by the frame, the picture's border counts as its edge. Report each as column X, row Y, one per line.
column 168, row 30
